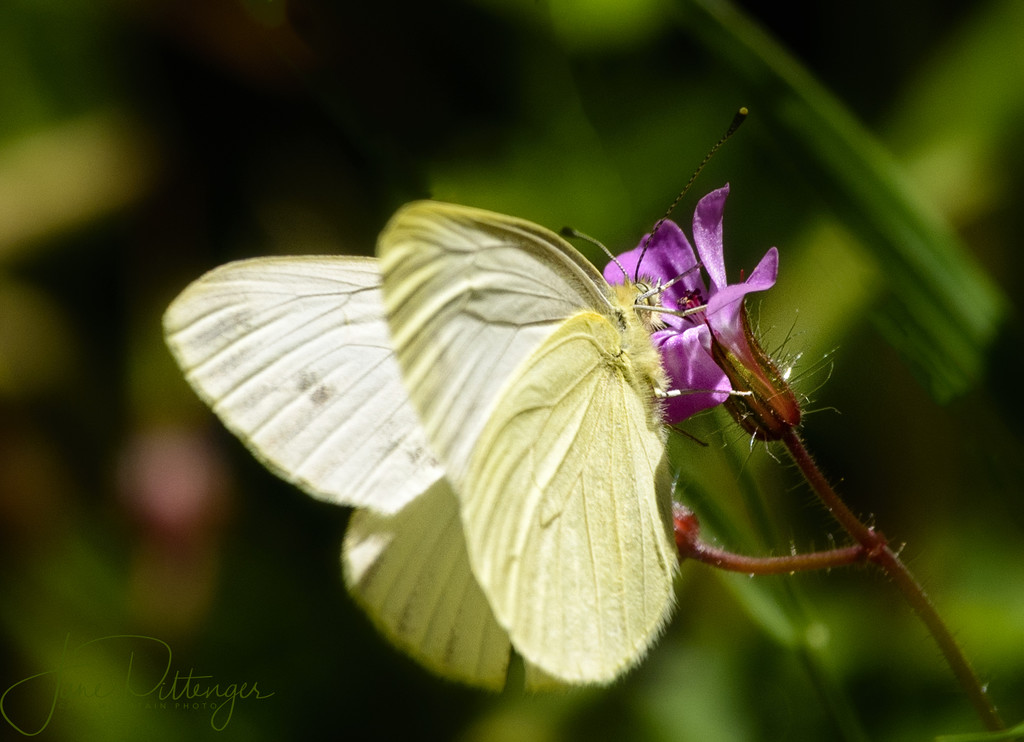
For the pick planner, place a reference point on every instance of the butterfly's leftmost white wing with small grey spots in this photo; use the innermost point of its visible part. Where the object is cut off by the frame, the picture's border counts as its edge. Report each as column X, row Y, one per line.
column 294, row 357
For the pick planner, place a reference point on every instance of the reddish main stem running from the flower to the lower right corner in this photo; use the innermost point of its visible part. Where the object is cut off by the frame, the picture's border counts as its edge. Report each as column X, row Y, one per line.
column 877, row 550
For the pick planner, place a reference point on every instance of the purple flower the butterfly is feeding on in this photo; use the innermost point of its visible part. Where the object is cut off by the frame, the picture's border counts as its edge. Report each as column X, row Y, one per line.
column 688, row 344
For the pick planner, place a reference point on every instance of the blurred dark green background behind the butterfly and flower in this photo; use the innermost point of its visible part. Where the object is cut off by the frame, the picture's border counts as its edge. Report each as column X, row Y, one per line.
column 143, row 144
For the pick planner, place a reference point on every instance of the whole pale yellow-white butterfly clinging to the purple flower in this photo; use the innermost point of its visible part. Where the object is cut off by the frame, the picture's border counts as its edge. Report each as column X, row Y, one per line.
column 490, row 406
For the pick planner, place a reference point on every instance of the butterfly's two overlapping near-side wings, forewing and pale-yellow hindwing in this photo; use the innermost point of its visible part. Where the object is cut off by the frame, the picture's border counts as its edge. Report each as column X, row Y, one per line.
column 554, row 451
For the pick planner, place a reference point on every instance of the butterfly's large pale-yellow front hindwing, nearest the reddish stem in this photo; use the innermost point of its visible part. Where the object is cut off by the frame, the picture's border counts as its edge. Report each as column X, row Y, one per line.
column 568, row 505
